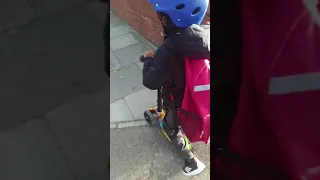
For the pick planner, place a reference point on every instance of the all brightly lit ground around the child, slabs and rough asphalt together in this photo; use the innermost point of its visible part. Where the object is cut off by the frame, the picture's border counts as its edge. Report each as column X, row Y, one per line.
column 138, row 151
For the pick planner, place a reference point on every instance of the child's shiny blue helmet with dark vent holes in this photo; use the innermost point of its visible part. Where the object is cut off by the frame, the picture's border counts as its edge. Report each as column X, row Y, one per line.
column 183, row 13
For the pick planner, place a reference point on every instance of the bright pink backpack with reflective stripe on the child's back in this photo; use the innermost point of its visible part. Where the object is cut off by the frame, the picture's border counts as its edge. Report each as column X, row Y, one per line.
column 195, row 113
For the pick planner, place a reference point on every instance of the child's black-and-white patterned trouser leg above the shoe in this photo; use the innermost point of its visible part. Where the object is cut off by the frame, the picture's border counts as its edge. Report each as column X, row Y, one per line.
column 177, row 137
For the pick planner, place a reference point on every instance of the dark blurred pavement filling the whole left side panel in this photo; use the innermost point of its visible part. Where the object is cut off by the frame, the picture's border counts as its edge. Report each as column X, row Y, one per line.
column 54, row 93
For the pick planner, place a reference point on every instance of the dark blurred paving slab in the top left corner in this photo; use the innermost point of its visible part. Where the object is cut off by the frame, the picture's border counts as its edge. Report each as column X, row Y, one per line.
column 14, row 13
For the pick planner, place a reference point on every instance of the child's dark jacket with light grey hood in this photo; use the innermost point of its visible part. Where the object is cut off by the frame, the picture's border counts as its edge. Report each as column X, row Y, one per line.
column 167, row 65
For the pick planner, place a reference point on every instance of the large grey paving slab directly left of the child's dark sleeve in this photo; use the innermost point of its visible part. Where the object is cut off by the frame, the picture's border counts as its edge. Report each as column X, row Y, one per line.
column 125, row 81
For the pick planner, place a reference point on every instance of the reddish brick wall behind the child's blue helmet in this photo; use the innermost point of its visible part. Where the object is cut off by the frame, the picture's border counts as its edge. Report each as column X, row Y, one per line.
column 141, row 17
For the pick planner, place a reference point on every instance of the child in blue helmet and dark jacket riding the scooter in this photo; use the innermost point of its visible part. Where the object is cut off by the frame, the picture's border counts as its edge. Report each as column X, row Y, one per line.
column 183, row 37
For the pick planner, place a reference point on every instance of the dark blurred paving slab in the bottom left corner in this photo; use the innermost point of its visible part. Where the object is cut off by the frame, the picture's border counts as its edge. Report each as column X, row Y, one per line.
column 30, row 152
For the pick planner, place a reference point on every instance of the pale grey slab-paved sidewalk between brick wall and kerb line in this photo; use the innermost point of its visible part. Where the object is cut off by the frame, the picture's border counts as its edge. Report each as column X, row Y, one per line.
column 128, row 97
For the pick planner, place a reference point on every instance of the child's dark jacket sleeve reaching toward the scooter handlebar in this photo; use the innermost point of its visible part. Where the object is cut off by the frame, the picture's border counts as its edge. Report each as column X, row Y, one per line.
column 155, row 69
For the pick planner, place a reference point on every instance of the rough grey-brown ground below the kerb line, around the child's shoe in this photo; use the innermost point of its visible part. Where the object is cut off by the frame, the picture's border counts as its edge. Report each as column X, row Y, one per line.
column 142, row 153
